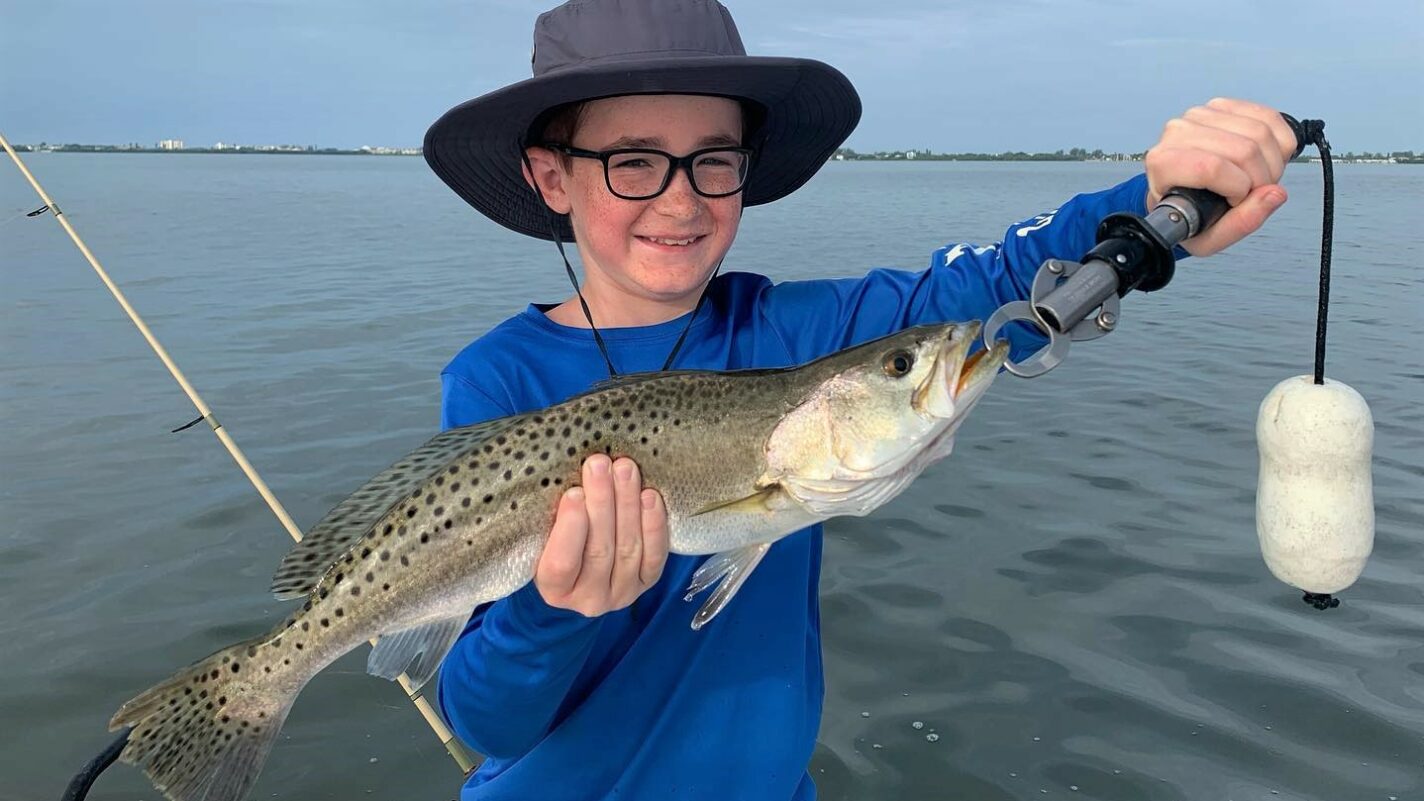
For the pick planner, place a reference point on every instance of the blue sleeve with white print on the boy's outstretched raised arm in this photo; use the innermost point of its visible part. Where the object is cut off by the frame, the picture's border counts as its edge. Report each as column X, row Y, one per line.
column 962, row 283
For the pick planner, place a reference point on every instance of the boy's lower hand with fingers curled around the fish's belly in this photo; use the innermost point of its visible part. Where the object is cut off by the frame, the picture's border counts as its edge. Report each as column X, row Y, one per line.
column 609, row 542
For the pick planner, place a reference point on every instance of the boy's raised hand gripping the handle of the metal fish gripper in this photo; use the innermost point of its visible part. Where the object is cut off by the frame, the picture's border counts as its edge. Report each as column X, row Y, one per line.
column 1234, row 148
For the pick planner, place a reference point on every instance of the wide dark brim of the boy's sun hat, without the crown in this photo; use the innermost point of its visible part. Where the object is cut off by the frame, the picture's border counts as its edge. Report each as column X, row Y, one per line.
column 476, row 148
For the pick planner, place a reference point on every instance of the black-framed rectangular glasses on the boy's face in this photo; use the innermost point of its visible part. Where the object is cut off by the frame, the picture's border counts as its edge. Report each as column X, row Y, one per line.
column 643, row 173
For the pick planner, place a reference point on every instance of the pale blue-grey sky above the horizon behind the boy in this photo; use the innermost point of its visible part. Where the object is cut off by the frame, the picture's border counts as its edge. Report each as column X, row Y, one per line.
column 951, row 76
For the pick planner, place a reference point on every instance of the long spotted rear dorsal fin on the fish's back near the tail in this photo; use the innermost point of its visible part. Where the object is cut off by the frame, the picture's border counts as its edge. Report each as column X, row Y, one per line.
column 350, row 521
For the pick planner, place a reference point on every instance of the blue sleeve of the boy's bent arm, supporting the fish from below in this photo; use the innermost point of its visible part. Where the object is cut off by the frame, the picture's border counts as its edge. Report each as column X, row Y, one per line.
column 505, row 681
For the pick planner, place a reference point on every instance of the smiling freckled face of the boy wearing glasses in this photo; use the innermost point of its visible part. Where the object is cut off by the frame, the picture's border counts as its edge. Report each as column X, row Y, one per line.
column 659, row 252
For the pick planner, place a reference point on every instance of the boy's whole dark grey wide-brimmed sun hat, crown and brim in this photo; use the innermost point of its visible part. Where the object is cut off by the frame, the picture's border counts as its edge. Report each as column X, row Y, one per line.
column 593, row 49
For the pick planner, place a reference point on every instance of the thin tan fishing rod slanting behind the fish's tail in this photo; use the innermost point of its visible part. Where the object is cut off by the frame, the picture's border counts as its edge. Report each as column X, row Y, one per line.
column 79, row 787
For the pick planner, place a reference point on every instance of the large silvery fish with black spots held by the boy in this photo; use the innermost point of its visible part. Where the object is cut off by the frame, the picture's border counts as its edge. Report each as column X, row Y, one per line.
column 741, row 460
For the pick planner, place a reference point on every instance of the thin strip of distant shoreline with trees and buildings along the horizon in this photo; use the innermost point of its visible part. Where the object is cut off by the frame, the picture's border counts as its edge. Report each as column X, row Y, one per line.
column 1076, row 155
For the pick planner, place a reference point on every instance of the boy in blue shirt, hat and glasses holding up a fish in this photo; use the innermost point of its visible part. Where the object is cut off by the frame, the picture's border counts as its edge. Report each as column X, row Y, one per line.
column 642, row 139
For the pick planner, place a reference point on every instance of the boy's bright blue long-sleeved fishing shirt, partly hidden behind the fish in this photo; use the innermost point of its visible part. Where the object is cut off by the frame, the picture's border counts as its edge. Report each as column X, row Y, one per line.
column 634, row 703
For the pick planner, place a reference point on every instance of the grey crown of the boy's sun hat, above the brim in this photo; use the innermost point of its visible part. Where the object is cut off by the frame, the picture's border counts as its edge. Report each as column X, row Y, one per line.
column 593, row 32
